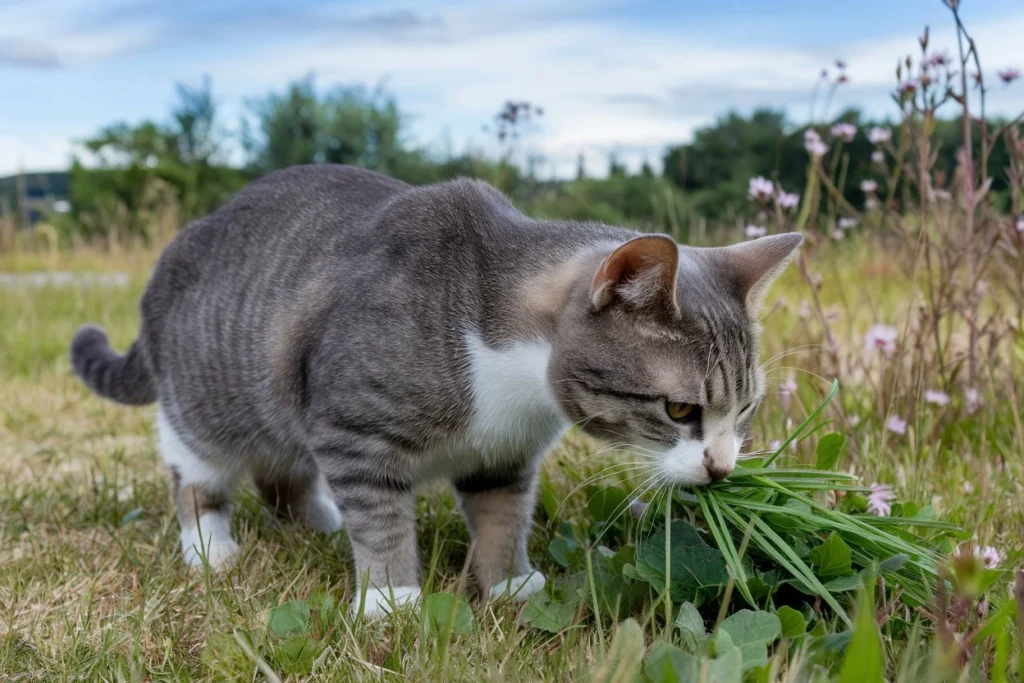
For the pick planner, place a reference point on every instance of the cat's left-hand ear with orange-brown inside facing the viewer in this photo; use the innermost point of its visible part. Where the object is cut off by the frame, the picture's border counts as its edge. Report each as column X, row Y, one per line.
column 642, row 274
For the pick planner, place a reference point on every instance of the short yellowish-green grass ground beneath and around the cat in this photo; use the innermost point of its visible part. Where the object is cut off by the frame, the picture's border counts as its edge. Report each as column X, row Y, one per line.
column 93, row 586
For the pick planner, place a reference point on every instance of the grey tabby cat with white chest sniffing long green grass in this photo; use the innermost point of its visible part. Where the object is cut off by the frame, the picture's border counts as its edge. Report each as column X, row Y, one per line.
column 340, row 337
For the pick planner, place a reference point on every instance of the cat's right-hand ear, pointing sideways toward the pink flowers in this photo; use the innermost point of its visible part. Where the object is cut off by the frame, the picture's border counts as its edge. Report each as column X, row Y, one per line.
column 754, row 266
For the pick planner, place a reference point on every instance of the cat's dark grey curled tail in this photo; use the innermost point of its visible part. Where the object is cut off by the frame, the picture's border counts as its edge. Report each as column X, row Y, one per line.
column 125, row 379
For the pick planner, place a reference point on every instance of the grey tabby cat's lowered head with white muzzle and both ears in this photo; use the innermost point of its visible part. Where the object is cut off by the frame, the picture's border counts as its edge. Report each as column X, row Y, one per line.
column 658, row 349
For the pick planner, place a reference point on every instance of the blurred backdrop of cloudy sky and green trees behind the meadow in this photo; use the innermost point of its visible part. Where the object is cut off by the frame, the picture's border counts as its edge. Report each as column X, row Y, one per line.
column 121, row 118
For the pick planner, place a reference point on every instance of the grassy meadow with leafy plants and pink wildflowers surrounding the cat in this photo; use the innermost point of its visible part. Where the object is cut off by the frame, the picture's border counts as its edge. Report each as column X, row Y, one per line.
column 874, row 532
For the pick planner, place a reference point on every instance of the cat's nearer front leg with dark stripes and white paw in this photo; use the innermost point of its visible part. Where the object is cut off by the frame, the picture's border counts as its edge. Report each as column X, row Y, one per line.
column 380, row 519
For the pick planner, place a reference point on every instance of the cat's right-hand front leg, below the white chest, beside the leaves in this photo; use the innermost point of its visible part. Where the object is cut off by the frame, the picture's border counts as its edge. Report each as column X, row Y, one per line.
column 499, row 509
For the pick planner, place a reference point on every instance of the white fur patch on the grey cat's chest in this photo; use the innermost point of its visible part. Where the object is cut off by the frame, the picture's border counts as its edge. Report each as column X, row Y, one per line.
column 516, row 417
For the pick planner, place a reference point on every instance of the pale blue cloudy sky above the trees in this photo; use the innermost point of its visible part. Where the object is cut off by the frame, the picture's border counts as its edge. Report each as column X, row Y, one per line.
column 613, row 76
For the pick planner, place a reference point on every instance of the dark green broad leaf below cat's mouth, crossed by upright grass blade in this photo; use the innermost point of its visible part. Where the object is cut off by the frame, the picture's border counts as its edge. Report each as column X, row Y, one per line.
column 698, row 571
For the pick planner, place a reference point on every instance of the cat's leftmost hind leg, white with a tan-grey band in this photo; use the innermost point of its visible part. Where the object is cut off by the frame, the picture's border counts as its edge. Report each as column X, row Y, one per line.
column 203, row 491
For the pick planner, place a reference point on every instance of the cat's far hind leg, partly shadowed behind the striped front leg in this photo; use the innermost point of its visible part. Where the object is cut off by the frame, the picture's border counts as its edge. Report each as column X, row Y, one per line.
column 301, row 493
